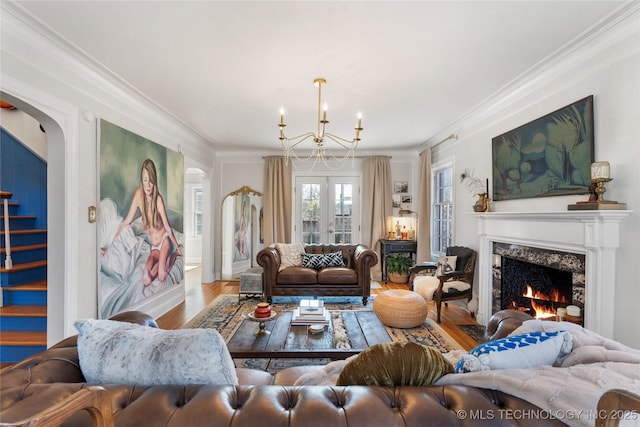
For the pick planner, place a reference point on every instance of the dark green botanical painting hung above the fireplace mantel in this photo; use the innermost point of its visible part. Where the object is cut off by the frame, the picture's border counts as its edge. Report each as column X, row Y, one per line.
column 549, row 156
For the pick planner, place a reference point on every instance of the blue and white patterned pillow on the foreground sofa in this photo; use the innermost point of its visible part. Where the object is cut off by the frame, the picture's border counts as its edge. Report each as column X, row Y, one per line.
column 519, row 351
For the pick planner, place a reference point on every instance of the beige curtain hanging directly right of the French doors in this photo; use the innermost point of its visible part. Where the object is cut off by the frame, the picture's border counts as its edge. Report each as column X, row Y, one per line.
column 377, row 204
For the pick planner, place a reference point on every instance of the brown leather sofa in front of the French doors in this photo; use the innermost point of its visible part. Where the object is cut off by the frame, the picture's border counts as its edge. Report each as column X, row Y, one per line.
column 354, row 279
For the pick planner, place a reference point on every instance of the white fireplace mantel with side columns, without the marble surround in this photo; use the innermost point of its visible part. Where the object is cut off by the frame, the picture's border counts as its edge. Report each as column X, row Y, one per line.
column 593, row 233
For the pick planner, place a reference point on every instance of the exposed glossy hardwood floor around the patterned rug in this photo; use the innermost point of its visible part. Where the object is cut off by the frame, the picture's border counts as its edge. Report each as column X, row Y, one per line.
column 199, row 295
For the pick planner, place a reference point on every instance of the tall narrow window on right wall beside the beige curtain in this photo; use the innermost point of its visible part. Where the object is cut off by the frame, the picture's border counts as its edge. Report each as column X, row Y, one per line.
column 442, row 229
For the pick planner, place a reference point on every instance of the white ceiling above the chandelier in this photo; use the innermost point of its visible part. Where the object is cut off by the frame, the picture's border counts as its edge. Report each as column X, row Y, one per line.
column 412, row 68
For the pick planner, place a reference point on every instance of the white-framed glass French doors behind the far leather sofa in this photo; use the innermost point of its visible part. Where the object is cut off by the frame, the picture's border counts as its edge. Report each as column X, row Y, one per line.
column 327, row 210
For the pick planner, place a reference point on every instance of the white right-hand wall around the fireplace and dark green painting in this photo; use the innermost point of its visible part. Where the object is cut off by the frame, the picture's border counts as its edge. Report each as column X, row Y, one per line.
column 607, row 67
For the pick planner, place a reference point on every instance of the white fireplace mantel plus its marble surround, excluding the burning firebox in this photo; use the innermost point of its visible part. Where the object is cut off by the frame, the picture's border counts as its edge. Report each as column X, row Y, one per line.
column 567, row 238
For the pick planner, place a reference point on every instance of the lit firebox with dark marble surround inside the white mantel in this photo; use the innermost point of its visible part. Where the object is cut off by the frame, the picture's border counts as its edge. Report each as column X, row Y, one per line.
column 537, row 281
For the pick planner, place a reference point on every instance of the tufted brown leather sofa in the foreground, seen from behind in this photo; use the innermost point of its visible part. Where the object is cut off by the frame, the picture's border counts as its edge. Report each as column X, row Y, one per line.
column 52, row 382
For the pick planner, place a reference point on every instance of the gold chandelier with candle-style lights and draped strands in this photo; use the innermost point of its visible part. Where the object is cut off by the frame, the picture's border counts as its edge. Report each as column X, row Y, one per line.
column 319, row 151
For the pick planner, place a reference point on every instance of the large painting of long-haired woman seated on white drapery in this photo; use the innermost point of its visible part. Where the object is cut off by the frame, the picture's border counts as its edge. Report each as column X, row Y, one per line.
column 140, row 220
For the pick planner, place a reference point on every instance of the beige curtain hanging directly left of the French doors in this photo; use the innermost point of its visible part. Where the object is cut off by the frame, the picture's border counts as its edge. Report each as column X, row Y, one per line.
column 278, row 204
